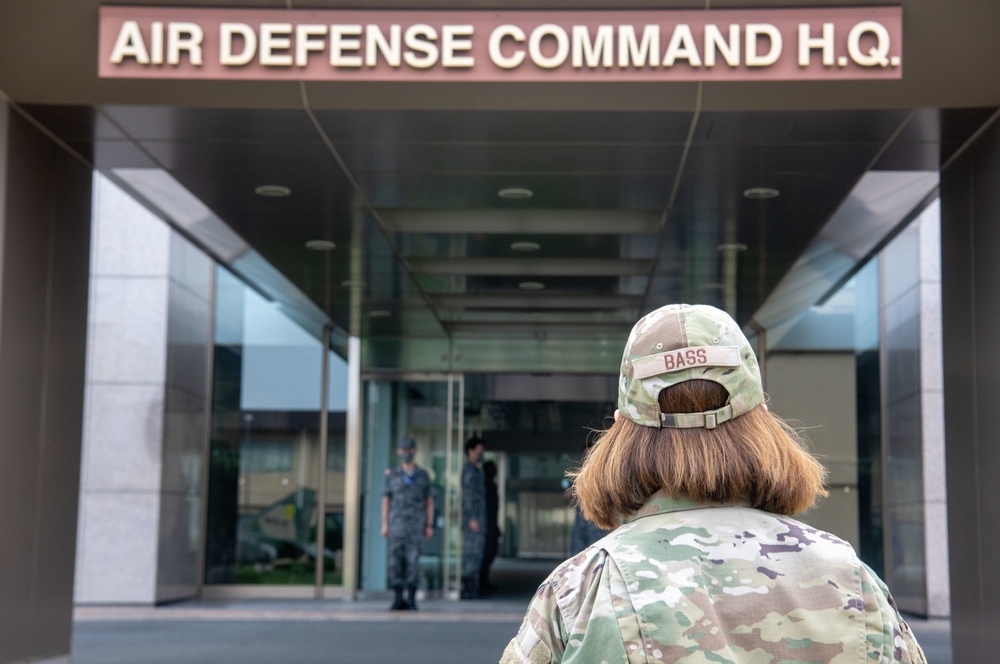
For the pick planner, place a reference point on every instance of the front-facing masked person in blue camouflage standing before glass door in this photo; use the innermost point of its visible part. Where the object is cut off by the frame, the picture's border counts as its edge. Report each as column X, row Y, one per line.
column 407, row 519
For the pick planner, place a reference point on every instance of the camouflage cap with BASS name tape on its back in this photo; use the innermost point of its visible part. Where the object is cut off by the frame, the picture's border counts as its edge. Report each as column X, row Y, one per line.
column 681, row 342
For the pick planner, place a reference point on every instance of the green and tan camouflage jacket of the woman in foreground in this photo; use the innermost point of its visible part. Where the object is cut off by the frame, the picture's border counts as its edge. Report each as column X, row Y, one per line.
column 682, row 582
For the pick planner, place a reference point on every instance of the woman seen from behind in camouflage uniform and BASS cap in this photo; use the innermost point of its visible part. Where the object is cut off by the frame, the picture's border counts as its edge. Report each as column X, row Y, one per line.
column 705, row 565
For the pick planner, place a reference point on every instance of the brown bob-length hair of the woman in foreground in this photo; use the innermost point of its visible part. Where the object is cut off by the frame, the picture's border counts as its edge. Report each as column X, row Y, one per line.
column 755, row 458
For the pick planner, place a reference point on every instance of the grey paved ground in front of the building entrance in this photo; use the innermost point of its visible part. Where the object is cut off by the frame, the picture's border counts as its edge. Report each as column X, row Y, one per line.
column 333, row 632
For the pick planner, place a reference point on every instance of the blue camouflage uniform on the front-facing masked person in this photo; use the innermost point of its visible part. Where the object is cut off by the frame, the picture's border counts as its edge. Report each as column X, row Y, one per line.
column 408, row 496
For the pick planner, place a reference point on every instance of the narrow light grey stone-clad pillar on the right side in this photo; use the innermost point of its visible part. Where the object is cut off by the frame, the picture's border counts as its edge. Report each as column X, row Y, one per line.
column 915, row 500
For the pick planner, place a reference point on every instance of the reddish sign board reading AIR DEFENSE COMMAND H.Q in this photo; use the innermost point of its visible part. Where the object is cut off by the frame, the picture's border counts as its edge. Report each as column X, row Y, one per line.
column 832, row 43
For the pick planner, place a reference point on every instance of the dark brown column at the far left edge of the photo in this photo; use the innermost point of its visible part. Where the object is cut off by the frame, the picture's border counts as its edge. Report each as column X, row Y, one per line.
column 44, row 262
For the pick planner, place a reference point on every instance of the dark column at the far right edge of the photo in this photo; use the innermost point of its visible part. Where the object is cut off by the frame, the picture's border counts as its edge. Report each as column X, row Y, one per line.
column 970, row 238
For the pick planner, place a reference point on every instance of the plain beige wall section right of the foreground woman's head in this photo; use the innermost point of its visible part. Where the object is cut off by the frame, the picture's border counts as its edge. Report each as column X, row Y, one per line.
column 816, row 391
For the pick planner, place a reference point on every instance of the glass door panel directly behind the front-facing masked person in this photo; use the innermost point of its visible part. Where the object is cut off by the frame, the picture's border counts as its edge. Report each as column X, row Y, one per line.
column 427, row 408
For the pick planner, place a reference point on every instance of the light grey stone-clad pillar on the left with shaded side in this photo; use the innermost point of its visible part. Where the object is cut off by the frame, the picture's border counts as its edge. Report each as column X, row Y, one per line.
column 147, row 408
